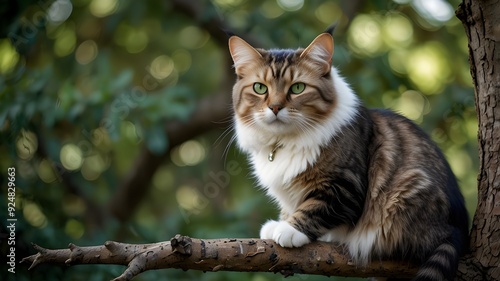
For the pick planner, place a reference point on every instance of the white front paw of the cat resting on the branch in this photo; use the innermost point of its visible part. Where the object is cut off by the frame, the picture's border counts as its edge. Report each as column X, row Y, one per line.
column 284, row 234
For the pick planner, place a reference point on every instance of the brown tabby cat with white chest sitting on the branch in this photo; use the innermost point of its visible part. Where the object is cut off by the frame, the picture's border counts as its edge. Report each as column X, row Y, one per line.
column 367, row 178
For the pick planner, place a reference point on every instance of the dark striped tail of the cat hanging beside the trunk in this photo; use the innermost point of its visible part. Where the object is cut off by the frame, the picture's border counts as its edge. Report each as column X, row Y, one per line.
column 442, row 264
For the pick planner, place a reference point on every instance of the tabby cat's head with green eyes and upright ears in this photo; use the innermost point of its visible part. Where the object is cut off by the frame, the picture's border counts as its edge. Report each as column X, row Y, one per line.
column 283, row 91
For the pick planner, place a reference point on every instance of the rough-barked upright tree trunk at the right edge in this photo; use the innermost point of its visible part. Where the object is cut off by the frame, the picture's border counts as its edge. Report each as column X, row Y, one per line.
column 481, row 20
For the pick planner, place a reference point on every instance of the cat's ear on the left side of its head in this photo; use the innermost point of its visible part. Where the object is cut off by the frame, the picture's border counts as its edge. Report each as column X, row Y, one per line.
column 242, row 53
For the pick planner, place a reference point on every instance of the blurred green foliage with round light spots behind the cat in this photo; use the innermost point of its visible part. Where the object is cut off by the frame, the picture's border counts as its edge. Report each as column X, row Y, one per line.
column 86, row 84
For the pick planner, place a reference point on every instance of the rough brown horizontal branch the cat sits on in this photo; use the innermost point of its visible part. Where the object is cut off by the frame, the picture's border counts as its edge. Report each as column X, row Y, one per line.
column 244, row 255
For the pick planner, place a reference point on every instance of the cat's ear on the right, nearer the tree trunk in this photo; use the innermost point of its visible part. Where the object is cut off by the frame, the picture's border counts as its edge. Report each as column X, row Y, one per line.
column 320, row 51
